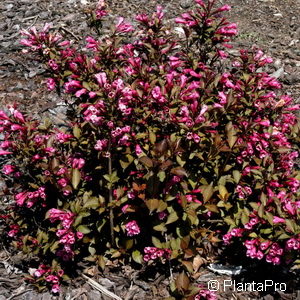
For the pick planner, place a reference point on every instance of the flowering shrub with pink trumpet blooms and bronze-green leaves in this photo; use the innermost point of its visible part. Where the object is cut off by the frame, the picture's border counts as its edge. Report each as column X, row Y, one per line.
column 171, row 146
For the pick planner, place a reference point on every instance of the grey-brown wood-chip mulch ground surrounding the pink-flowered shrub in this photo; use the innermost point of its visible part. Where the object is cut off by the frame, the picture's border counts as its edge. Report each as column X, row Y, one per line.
column 272, row 25
